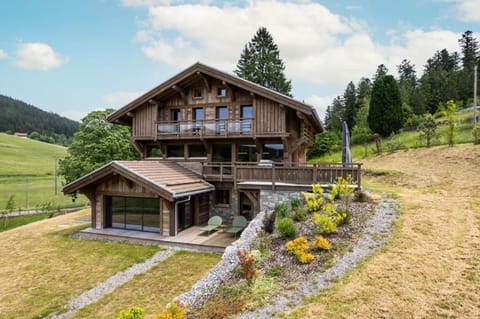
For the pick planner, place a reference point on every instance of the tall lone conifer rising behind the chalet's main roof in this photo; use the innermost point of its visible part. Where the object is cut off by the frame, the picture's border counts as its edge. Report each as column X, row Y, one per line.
column 260, row 63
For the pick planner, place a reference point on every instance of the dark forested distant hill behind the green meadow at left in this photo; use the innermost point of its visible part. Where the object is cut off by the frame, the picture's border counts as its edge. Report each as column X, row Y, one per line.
column 18, row 116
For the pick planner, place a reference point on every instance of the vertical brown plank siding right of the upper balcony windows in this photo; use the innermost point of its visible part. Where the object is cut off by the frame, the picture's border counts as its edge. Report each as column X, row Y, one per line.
column 269, row 115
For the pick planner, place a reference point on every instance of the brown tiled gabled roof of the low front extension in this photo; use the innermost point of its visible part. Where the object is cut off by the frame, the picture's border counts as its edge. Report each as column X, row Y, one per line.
column 165, row 178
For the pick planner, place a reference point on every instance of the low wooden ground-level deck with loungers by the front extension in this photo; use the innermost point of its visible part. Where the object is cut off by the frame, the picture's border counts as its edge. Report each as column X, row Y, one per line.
column 191, row 238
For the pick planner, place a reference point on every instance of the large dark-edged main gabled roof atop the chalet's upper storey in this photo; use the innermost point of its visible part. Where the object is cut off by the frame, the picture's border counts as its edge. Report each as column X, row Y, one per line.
column 198, row 69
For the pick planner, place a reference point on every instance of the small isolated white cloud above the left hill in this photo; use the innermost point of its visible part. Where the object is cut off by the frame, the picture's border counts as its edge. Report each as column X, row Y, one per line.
column 38, row 56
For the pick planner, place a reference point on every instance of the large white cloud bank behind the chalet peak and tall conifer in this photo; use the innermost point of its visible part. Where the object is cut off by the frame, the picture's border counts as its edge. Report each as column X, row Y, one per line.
column 318, row 46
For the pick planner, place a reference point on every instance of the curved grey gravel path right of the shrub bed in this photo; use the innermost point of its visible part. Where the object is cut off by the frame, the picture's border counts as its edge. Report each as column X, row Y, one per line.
column 378, row 230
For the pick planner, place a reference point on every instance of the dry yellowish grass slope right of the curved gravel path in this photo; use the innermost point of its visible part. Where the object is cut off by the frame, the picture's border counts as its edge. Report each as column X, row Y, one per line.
column 431, row 266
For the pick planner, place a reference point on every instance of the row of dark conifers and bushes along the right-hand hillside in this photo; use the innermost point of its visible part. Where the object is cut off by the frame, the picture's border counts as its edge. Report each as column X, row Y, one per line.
column 385, row 104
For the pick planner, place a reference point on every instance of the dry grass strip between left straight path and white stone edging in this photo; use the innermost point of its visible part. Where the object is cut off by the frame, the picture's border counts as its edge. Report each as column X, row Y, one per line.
column 154, row 289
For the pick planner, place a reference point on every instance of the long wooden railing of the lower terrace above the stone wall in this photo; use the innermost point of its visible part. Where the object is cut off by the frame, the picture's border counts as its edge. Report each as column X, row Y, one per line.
column 323, row 173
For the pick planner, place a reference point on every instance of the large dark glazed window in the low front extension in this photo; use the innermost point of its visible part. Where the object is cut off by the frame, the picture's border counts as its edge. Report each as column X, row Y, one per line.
column 134, row 213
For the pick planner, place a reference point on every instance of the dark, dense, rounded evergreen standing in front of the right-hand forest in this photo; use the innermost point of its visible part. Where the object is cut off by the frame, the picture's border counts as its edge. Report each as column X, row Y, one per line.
column 385, row 115
